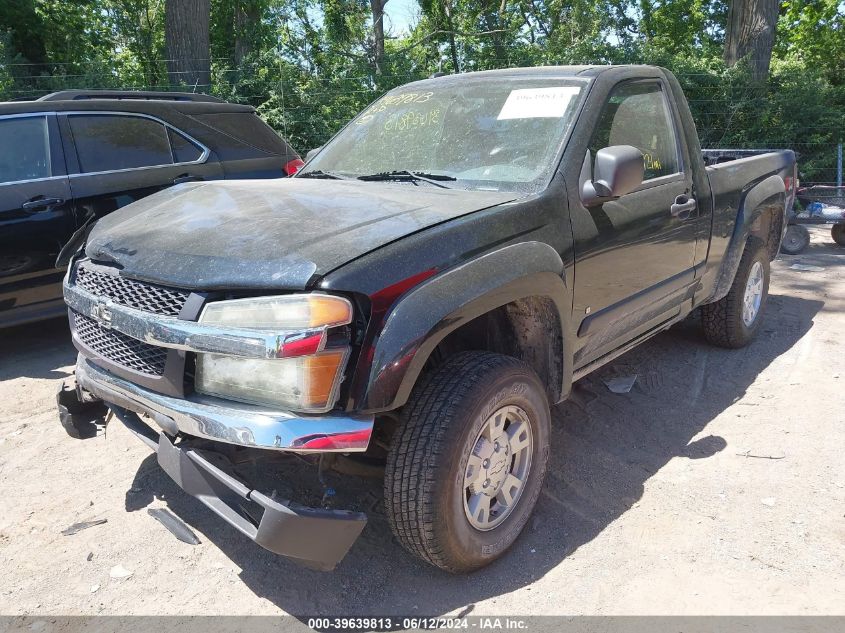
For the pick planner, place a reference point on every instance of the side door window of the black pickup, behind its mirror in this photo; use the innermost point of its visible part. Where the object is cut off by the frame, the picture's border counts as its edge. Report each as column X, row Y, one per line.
column 637, row 114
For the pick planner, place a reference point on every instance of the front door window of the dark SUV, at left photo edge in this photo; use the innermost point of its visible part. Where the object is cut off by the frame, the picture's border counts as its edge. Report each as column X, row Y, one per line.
column 24, row 149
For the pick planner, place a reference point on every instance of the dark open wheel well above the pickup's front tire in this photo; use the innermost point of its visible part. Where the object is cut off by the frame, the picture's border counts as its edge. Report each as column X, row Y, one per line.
column 528, row 329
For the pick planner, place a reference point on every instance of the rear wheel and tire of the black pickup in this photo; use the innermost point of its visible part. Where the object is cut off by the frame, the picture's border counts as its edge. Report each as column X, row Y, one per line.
column 725, row 322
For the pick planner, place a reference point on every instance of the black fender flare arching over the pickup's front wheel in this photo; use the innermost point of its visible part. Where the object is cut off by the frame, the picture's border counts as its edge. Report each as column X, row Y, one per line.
column 429, row 312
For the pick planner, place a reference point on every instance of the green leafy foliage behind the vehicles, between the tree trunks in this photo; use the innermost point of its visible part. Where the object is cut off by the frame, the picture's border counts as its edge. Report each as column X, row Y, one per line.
column 310, row 65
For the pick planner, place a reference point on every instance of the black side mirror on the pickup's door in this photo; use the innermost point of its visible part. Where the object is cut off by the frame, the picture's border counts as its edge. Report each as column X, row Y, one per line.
column 617, row 170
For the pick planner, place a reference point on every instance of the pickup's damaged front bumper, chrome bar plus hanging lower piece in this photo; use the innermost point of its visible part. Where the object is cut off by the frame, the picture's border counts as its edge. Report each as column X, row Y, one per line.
column 317, row 537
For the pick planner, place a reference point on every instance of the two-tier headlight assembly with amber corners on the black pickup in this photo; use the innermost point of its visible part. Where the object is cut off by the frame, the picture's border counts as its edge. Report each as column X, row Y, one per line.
column 304, row 383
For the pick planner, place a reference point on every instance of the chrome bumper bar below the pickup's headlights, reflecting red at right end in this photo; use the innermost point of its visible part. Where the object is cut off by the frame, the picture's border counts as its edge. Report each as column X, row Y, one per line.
column 227, row 421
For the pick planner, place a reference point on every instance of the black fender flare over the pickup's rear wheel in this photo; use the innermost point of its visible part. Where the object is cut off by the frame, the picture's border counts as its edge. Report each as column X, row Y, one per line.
column 765, row 194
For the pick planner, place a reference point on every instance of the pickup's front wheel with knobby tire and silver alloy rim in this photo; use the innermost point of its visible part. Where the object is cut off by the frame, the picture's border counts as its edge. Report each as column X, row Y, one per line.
column 427, row 499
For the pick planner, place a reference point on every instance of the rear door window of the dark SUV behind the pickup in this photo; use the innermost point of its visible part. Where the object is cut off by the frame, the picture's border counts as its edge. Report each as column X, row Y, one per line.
column 106, row 142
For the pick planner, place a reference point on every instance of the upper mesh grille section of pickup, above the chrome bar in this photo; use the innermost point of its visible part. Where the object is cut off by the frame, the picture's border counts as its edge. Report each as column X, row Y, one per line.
column 131, row 293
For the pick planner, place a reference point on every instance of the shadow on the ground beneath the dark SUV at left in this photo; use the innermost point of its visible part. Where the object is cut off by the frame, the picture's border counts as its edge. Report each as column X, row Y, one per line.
column 36, row 350
